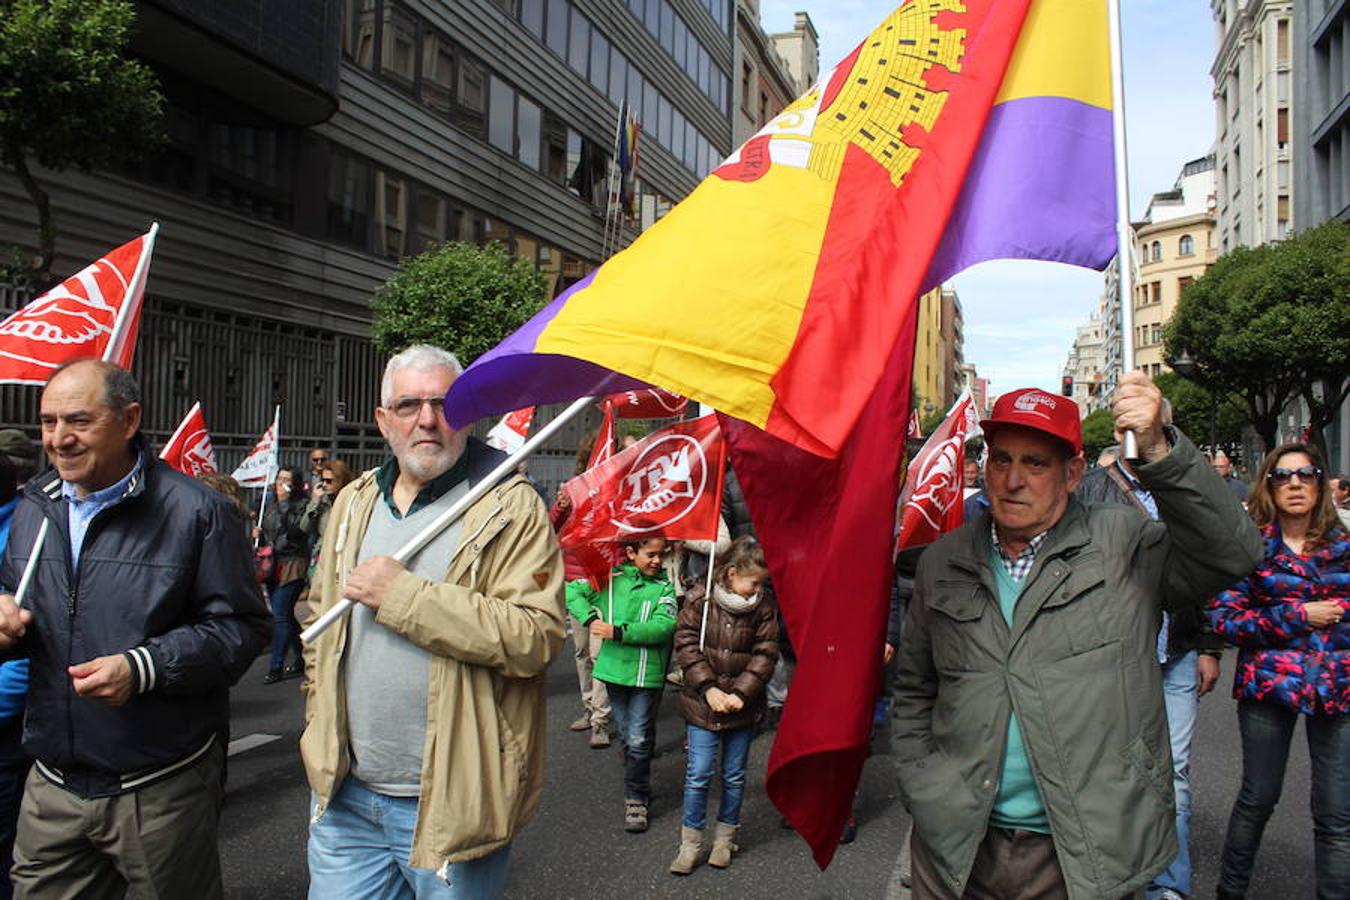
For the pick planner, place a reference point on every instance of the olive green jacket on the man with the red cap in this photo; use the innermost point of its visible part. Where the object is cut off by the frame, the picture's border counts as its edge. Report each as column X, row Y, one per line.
column 1078, row 666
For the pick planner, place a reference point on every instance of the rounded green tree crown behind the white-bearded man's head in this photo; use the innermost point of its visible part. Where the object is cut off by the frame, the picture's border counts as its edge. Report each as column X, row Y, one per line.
column 461, row 298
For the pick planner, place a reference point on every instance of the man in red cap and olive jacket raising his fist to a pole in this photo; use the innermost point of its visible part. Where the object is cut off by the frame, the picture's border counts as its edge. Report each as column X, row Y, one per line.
column 1032, row 741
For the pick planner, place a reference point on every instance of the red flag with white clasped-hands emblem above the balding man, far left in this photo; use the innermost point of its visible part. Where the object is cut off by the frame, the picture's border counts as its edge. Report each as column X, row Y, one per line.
column 92, row 315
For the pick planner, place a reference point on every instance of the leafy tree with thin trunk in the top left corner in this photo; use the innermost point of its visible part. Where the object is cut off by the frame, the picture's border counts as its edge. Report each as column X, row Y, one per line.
column 71, row 98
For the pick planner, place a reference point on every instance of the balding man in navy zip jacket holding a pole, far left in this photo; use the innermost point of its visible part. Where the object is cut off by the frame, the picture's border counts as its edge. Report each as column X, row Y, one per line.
column 141, row 613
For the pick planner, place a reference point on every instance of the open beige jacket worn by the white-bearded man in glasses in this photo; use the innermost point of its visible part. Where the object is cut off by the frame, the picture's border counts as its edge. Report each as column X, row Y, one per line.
column 492, row 628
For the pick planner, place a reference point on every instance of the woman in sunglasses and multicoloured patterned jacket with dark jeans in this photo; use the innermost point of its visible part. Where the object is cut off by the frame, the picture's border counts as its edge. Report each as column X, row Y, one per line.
column 1287, row 620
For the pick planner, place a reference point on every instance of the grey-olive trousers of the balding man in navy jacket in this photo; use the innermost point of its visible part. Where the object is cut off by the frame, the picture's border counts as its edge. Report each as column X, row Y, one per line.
column 156, row 844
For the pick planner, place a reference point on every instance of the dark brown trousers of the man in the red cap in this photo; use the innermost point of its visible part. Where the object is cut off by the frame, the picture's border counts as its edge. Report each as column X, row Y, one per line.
column 1010, row 866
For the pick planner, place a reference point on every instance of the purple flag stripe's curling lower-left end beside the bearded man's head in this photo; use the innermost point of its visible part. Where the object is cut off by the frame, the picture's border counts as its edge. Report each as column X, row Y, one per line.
column 512, row 376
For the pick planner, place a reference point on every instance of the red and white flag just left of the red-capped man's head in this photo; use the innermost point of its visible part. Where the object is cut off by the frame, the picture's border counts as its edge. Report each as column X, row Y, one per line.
column 931, row 501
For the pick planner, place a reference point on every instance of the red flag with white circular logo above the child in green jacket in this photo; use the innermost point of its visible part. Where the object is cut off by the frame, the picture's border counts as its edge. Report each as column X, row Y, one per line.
column 670, row 484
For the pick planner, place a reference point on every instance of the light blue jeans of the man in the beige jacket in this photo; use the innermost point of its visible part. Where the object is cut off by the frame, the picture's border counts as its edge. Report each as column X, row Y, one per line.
column 360, row 851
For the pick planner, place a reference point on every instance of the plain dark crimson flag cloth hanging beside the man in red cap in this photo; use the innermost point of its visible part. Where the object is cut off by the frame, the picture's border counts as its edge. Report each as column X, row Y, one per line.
column 828, row 528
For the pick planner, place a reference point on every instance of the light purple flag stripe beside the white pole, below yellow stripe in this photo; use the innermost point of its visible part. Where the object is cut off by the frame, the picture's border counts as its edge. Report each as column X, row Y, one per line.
column 1042, row 187
